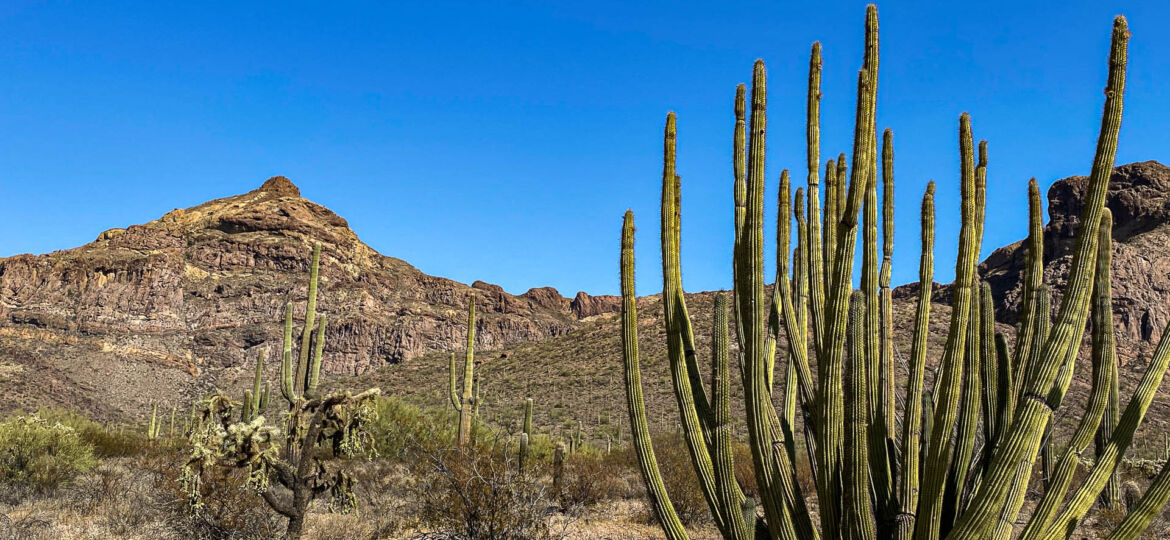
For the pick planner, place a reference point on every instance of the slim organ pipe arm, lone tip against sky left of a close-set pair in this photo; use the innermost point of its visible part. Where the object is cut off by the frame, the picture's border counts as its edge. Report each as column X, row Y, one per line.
column 912, row 423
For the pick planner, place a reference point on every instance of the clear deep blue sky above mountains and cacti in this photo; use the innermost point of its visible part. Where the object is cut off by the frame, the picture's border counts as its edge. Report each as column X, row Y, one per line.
column 504, row 141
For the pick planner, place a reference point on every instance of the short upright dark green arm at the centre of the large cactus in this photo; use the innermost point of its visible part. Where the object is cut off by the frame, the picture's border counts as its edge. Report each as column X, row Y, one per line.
column 857, row 514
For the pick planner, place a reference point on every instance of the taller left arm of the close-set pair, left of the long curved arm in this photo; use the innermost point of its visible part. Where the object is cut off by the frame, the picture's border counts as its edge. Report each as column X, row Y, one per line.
column 951, row 368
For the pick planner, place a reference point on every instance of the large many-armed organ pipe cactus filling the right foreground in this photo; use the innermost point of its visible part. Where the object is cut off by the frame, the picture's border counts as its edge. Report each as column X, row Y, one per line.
column 934, row 481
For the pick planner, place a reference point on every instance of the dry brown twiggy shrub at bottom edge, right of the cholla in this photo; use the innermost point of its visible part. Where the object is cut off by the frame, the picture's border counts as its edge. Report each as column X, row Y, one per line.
column 480, row 494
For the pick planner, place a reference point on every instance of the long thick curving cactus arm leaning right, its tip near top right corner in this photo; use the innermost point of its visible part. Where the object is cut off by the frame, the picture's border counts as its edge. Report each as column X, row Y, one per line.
column 1034, row 414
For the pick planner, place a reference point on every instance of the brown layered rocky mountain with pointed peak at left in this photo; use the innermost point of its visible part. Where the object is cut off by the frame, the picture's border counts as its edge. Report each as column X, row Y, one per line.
column 164, row 310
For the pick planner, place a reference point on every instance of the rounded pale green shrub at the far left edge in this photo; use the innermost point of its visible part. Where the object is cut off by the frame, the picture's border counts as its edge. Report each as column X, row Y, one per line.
column 40, row 455
